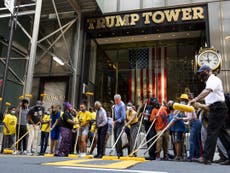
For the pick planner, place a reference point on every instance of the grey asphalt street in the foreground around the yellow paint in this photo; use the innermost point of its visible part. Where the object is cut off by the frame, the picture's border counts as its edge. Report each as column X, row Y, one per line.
column 35, row 164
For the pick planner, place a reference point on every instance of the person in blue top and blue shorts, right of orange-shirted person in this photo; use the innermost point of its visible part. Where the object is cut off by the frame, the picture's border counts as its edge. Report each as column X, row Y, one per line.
column 177, row 130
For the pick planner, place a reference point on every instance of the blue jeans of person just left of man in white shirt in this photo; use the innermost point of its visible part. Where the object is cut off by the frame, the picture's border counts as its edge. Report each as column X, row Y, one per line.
column 195, row 139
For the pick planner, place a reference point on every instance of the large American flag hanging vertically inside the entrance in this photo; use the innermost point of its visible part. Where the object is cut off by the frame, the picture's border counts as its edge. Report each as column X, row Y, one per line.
column 148, row 77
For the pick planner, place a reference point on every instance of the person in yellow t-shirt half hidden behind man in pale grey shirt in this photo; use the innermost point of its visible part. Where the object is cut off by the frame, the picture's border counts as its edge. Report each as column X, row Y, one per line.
column 92, row 130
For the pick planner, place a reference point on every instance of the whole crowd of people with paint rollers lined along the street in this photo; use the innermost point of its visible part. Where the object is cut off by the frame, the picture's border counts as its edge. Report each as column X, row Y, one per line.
column 70, row 130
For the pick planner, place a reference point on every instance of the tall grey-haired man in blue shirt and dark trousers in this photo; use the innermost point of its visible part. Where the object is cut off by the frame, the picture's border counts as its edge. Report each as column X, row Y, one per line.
column 118, row 121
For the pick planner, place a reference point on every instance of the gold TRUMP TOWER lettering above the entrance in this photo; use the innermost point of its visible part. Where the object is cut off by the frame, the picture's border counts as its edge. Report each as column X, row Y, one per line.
column 155, row 17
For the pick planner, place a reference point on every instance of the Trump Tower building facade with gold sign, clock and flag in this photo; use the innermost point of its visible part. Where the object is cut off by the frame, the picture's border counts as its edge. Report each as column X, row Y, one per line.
column 137, row 48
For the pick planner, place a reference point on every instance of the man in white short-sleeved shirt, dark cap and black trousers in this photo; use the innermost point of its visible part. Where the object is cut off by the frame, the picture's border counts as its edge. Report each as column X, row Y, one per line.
column 213, row 94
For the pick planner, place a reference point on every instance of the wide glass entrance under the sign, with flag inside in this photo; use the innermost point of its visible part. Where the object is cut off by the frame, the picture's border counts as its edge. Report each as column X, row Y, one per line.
column 138, row 72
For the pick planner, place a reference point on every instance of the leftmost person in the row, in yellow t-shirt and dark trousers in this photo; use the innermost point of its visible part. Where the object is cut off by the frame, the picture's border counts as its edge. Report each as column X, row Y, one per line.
column 9, row 128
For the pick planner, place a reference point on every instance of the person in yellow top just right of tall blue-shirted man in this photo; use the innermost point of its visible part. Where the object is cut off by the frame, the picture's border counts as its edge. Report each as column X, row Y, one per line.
column 132, row 121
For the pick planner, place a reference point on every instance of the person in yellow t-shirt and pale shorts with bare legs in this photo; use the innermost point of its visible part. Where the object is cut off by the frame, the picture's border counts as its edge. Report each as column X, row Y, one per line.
column 84, row 118
